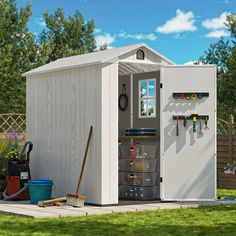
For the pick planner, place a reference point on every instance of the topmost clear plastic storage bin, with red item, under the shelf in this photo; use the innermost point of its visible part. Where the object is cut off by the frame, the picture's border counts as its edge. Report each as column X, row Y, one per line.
column 140, row 151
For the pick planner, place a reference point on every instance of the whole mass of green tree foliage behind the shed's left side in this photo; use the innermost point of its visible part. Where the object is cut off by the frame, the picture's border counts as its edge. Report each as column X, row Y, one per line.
column 20, row 51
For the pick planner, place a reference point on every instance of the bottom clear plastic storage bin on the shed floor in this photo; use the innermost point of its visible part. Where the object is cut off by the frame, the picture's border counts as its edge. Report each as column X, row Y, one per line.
column 138, row 193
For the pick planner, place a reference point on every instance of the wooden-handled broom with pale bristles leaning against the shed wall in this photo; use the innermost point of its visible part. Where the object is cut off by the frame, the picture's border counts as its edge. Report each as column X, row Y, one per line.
column 76, row 199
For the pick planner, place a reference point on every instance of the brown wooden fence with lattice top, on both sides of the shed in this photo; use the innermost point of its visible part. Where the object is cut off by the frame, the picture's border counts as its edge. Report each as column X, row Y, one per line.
column 15, row 124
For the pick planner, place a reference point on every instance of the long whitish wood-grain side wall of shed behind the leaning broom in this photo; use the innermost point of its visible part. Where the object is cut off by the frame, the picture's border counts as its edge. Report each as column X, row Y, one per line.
column 61, row 106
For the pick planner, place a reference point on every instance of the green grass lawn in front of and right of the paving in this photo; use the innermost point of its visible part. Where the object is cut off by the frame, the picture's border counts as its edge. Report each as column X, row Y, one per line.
column 219, row 220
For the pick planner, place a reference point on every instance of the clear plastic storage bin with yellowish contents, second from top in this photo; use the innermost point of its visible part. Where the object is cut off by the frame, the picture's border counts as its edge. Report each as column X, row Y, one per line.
column 138, row 164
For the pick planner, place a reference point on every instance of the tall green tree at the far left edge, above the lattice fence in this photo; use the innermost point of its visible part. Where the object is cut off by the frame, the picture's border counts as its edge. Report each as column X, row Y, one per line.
column 17, row 54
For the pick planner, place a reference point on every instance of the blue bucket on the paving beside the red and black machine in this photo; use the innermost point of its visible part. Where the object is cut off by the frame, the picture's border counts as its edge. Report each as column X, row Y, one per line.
column 40, row 190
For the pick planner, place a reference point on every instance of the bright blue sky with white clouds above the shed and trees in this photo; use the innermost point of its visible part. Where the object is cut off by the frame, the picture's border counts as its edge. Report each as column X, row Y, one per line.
column 179, row 29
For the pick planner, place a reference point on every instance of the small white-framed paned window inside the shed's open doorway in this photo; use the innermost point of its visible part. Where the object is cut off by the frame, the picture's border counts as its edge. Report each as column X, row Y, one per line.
column 147, row 98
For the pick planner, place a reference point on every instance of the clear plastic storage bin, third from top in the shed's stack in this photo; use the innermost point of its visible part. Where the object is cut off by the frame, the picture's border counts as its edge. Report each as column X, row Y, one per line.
column 141, row 179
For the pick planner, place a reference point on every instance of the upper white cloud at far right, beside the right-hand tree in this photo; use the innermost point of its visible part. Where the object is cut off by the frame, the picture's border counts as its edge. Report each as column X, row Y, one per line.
column 216, row 23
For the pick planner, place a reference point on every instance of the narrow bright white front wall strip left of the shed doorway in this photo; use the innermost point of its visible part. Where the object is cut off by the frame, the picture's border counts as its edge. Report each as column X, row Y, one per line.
column 109, row 132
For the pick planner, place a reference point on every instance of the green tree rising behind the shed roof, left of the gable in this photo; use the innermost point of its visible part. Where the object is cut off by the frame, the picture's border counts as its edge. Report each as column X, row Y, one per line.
column 66, row 36
